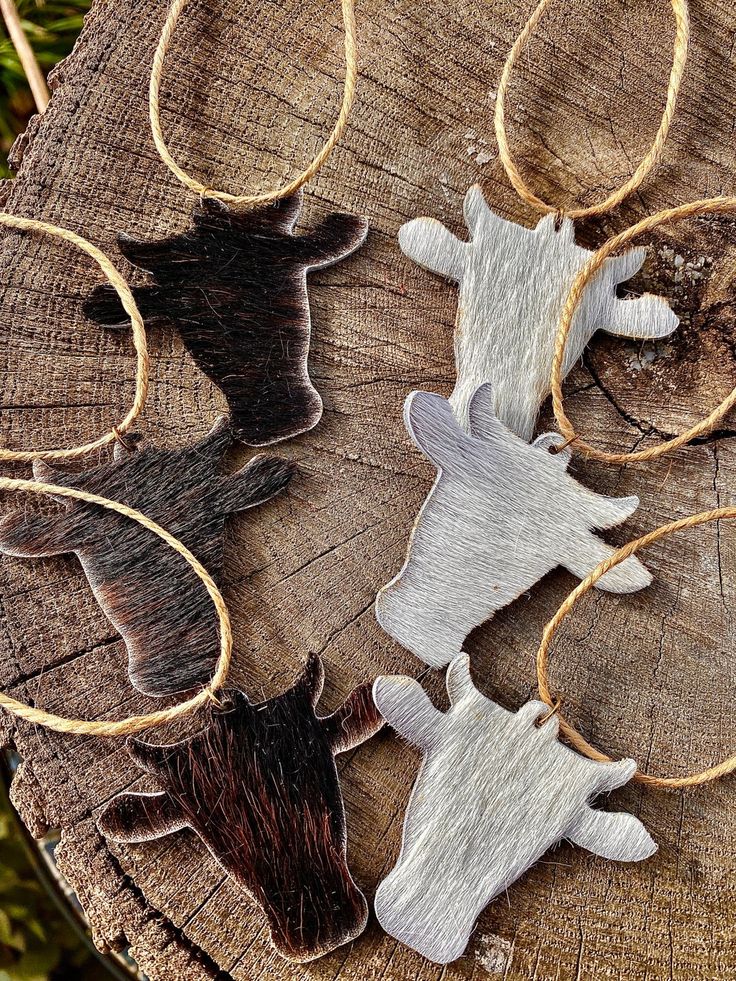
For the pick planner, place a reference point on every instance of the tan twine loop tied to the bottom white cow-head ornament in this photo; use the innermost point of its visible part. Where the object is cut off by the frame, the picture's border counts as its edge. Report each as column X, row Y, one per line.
column 572, row 735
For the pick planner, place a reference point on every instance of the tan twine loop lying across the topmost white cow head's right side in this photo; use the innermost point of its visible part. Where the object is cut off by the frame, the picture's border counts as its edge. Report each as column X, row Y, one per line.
column 695, row 208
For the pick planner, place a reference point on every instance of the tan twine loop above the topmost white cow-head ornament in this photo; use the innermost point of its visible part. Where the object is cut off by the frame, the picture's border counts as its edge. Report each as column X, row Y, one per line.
column 650, row 160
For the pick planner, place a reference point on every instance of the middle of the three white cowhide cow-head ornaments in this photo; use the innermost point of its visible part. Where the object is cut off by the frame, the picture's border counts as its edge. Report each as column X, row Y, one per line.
column 502, row 514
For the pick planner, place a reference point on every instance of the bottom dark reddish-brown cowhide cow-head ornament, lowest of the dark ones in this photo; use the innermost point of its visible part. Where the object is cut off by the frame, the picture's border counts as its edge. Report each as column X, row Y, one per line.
column 260, row 787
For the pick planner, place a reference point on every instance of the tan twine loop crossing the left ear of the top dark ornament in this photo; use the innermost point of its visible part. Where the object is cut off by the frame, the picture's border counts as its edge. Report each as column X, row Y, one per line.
column 139, row 341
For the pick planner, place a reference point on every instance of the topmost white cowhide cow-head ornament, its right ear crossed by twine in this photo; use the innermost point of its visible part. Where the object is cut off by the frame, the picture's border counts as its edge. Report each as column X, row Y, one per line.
column 513, row 285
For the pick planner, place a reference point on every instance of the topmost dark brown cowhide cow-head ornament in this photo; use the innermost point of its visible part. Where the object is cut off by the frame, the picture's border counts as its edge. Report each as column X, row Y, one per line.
column 235, row 288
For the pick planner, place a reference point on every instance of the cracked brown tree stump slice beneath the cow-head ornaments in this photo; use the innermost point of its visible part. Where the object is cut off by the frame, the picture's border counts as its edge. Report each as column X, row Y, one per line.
column 649, row 676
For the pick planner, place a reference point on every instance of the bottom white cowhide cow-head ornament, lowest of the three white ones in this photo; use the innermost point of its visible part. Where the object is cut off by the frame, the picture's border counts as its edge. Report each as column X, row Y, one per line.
column 494, row 793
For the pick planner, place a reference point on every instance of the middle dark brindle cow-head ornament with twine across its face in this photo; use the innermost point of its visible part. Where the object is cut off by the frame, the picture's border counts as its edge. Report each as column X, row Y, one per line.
column 145, row 589
